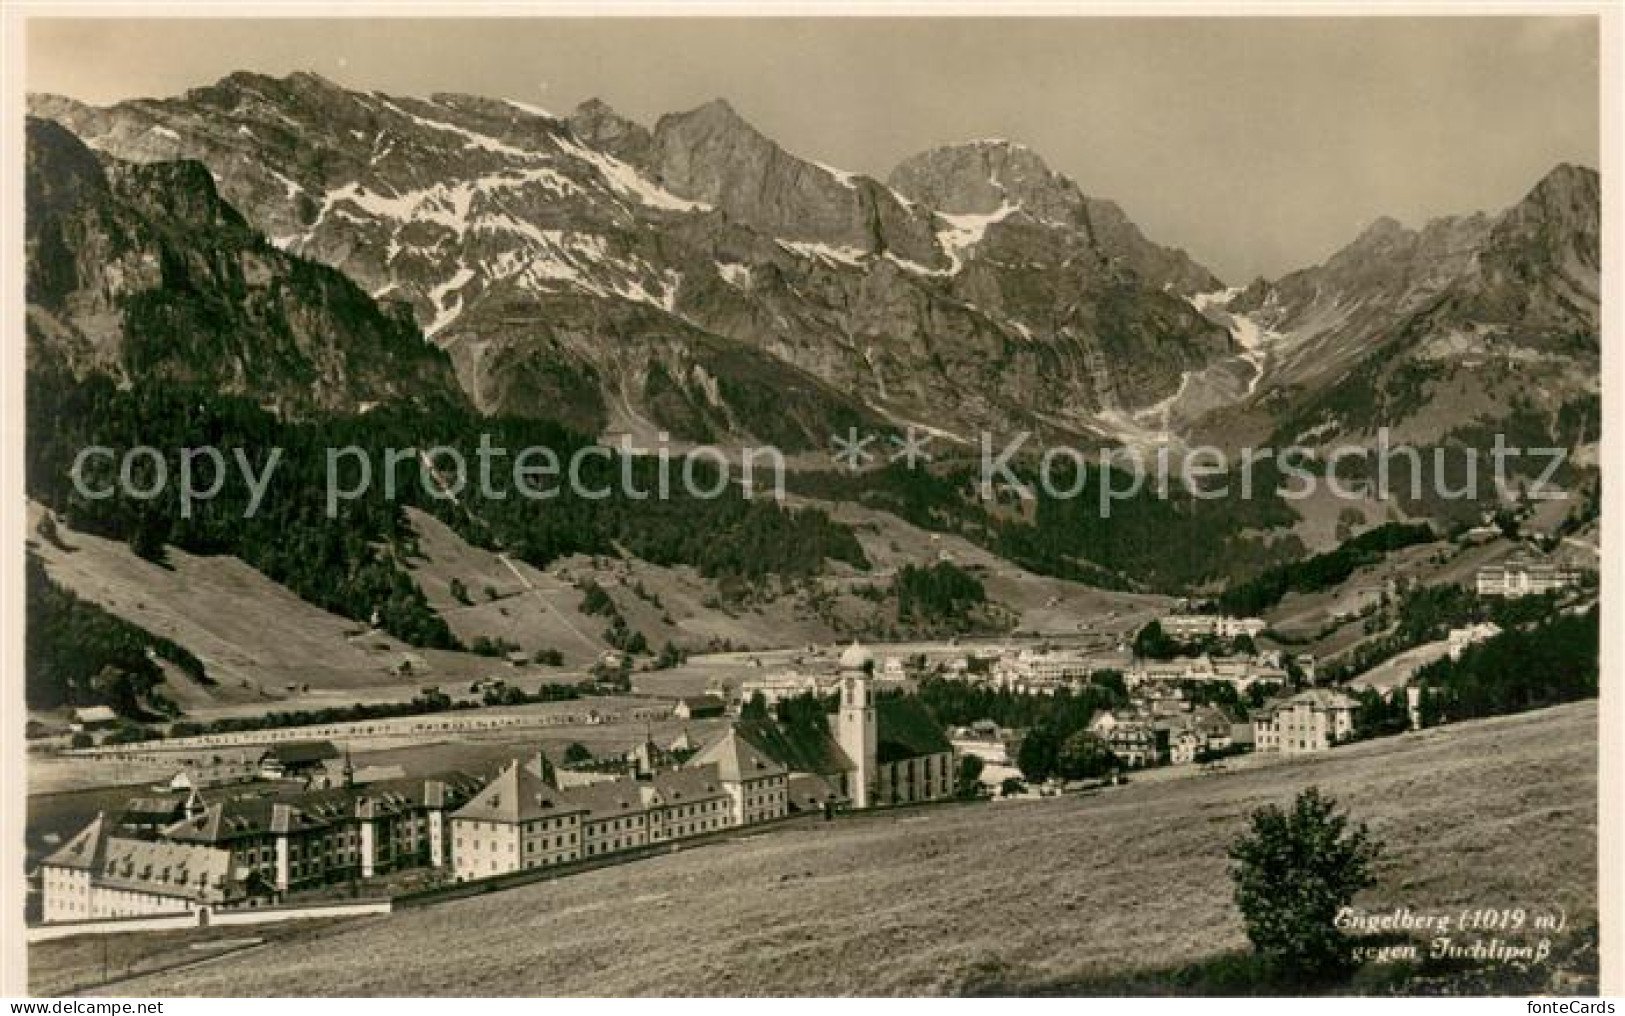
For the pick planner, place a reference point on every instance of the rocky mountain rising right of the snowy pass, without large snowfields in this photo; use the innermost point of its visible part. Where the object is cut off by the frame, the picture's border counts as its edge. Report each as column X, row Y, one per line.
column 1432, row 331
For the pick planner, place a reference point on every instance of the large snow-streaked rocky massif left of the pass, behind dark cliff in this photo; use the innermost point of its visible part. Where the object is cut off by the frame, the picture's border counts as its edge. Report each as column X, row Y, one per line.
column 691, row 277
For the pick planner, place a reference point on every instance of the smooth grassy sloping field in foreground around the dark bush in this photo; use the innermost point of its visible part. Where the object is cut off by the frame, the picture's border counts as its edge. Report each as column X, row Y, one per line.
column 1021, row 897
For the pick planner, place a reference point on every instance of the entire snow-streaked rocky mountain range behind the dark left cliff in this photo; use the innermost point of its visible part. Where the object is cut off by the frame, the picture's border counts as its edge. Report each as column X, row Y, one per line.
column 696, row 279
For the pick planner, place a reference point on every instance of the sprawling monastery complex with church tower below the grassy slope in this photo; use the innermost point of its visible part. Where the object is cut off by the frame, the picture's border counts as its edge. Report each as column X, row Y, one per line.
column 251, row 848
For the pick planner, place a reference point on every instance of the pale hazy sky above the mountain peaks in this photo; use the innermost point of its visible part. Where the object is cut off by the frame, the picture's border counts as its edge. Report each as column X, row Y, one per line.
column 1259, row 145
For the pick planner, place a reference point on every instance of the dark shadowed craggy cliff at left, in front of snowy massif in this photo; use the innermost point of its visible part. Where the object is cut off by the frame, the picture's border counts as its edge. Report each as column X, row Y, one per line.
column 144, row 271
